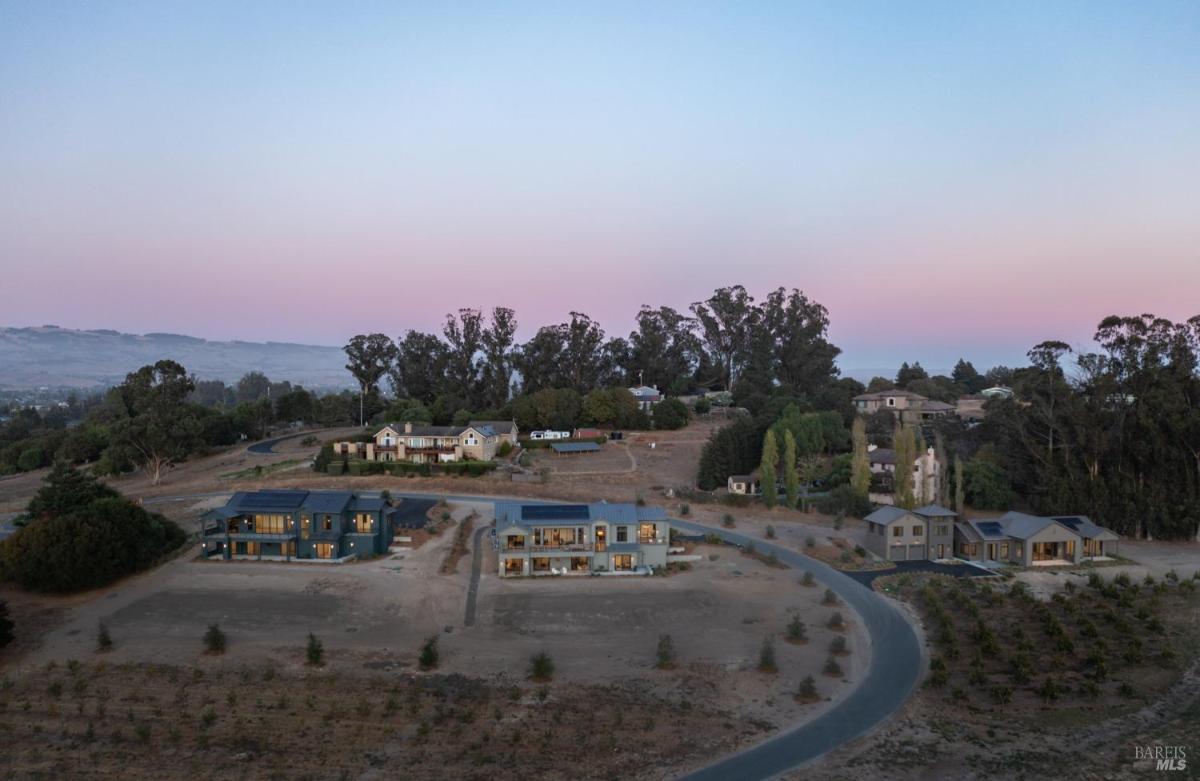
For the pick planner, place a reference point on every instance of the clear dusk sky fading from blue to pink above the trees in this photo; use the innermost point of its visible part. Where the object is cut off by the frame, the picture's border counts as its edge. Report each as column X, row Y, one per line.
column 946, row 178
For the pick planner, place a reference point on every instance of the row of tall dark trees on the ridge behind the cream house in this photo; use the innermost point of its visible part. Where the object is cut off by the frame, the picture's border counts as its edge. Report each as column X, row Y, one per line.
column 727, row 343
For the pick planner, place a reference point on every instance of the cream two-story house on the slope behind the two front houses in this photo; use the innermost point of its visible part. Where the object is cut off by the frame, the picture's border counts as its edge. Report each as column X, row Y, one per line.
column 428, row 444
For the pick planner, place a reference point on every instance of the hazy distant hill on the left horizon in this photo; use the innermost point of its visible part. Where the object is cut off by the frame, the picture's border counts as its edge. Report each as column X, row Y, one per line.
column 52, row 357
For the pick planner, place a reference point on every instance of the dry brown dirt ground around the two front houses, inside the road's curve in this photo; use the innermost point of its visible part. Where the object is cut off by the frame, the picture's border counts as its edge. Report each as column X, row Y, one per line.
column 373, row 618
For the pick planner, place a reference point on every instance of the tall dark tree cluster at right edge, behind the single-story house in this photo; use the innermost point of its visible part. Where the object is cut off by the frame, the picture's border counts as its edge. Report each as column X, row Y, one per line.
column 1115, row 434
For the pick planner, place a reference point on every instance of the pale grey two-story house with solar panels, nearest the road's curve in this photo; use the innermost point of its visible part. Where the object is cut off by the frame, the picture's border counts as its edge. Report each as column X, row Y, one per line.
column 580, row 539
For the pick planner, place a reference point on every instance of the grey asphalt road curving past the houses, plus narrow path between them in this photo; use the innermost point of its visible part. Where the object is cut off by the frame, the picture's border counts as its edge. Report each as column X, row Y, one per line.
column 897, row 664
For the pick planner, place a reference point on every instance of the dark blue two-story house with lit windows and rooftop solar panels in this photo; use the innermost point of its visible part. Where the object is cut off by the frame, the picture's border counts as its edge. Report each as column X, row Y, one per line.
column 322, row 526
